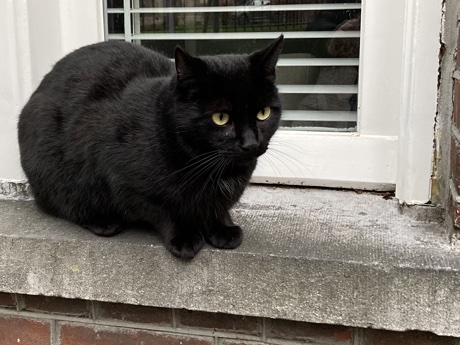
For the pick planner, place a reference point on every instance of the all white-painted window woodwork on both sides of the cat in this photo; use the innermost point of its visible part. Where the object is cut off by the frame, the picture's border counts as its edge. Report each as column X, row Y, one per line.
column 393, row 146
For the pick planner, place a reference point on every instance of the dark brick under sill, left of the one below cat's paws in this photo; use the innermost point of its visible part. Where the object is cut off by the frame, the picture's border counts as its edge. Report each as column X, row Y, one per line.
column 135, row 313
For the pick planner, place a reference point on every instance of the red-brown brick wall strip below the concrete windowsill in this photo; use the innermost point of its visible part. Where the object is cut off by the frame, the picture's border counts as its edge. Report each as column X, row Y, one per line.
column 39, row 320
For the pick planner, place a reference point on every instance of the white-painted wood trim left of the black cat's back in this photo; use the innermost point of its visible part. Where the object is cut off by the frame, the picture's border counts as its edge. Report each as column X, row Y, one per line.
column 36, row 34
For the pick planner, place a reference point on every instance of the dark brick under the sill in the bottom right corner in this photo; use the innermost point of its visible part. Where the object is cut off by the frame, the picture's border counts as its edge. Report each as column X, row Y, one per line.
column 379, row 337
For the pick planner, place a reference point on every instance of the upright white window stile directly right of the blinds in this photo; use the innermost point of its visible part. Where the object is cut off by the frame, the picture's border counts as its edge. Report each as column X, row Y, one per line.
column 380, row 67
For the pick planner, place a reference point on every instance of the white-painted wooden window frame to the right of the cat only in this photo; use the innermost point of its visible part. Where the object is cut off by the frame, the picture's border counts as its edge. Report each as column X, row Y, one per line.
column 397, row 97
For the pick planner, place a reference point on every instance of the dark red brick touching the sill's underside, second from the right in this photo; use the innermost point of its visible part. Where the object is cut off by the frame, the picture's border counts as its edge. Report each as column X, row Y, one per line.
column 310, row 332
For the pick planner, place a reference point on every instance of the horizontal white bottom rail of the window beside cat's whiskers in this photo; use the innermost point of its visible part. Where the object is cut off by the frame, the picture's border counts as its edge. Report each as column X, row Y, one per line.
column 329, row 160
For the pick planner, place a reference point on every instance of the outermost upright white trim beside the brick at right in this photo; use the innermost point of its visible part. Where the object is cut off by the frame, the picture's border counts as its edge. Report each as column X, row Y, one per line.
column 418, row 100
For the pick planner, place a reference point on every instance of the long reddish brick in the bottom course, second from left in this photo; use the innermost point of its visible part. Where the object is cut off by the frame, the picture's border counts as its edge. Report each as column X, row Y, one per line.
column 78, row 334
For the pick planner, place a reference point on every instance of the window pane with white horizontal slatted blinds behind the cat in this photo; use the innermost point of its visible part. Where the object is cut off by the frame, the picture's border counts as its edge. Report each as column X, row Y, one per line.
column 317, row 73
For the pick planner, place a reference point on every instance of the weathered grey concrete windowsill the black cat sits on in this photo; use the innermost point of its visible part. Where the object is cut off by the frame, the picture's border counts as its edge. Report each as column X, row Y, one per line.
column 311, row 255
